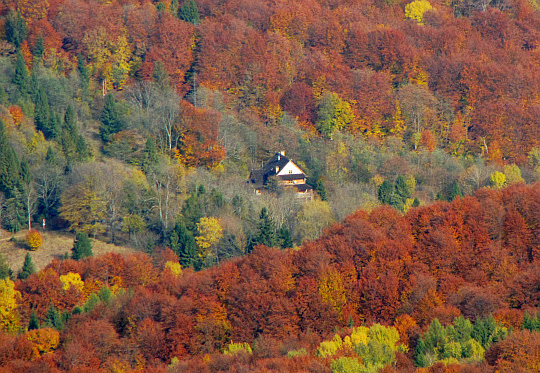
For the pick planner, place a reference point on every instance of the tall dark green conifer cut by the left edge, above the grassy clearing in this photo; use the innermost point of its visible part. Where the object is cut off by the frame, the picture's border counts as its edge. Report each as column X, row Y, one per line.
column 9, row 164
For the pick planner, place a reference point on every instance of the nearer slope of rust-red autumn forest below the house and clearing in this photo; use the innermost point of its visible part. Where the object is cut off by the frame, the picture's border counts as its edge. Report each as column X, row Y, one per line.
column 455, row 284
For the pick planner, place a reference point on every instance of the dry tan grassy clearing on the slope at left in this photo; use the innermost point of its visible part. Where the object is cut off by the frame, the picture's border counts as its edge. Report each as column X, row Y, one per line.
column 55, row 245
